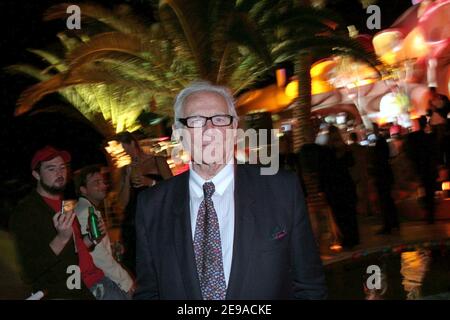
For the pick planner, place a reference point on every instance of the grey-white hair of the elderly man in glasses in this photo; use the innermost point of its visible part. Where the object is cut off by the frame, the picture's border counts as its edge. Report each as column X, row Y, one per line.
column 202, row 86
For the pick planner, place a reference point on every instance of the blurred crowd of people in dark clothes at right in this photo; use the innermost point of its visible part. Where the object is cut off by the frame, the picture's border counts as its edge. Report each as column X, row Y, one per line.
column 350, row 172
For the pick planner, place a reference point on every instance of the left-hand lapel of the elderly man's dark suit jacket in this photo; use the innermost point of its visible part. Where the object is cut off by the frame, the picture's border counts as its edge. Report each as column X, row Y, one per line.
column 183, row 239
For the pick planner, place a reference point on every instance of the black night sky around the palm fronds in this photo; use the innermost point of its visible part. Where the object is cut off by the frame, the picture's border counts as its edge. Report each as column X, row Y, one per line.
column 21, row 28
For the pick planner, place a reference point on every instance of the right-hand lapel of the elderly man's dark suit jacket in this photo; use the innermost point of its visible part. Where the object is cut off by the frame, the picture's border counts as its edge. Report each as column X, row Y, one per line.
column 243, row 231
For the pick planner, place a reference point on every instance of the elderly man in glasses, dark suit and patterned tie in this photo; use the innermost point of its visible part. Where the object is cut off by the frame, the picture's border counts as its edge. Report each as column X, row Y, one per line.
column 223, row 230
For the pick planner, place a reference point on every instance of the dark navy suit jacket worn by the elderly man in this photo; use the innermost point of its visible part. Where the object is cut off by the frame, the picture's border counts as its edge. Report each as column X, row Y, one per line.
column 274, row 251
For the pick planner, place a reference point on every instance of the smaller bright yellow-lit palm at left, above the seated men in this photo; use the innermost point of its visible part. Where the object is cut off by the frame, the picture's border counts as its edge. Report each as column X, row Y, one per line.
column 97, row 103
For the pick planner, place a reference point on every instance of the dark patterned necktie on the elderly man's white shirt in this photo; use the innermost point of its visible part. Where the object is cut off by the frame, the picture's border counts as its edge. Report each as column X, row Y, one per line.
column 208, row 249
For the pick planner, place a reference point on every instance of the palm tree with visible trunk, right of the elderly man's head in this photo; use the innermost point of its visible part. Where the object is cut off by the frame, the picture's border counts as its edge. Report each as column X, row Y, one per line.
column 305, row 34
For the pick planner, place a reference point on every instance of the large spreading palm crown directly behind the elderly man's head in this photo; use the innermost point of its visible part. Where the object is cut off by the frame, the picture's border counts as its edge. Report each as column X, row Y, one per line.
column 133, row 59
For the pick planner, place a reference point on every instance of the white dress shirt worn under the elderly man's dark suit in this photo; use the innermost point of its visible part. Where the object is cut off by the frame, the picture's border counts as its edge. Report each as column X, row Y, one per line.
column 223, row 199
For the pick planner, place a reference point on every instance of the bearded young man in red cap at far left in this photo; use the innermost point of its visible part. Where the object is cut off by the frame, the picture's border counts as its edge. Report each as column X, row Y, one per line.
column 44, row 236
